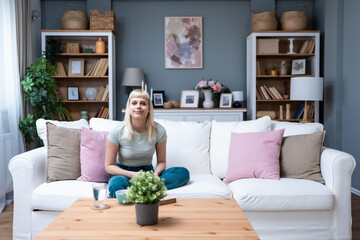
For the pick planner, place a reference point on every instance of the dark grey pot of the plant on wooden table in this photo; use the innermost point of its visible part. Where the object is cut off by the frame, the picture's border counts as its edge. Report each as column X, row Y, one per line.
column 147, row 214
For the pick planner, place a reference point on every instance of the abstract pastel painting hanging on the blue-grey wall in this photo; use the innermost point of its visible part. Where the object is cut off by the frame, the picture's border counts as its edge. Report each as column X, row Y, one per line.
column 183, row 42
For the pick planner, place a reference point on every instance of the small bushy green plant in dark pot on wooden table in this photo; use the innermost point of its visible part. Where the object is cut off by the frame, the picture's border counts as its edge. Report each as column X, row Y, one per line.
column 146, row 191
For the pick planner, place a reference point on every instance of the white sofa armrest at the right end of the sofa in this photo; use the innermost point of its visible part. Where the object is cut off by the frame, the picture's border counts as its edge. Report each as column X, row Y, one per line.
column 336, row 169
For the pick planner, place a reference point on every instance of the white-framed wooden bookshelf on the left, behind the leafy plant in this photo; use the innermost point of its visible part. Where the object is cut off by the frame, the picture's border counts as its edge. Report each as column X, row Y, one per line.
column 86, row 39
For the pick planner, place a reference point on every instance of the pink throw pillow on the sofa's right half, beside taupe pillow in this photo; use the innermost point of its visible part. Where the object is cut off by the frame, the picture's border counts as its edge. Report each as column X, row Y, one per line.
column 254, row 155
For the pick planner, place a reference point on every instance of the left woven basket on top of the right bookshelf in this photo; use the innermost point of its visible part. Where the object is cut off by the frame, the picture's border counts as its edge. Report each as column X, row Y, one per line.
column 265, row 21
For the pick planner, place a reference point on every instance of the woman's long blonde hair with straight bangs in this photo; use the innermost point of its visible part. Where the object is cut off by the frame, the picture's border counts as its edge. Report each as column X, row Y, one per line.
column 150, row 125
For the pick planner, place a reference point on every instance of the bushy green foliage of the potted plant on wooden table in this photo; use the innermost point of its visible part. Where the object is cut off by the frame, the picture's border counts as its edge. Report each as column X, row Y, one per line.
column 146, row 188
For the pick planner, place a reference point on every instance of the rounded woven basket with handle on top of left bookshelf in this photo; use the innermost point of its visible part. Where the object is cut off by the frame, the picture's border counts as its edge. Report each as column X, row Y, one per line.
column 74, row 20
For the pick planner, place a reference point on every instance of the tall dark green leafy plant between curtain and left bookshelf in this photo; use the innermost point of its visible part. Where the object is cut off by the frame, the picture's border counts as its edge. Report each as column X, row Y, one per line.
column 41, row 93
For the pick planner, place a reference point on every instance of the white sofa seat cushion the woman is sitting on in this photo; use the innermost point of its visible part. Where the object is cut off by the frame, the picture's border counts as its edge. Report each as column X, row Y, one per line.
column 58, row 196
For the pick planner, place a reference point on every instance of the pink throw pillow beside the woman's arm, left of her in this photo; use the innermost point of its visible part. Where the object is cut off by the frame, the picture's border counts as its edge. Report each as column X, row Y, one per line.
column 92, row 156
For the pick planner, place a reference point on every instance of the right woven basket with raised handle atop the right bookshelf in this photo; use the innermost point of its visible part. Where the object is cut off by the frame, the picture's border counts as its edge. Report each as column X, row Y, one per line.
column 294, row 20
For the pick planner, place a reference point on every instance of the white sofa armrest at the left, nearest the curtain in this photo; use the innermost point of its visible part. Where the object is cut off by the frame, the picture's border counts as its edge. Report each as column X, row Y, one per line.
column 28, row 170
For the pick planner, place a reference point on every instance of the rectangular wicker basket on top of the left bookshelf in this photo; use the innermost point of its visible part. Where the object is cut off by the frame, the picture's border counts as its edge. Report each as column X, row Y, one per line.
column 104, row 21
